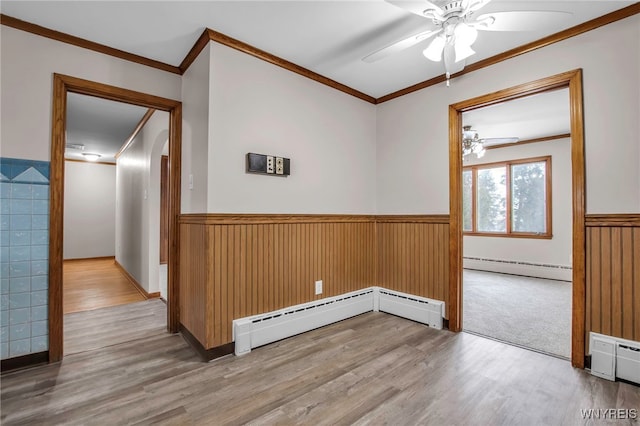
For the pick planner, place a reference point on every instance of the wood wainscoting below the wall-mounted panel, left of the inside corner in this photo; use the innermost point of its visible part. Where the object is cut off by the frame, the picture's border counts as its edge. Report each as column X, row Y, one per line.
column 233, row 266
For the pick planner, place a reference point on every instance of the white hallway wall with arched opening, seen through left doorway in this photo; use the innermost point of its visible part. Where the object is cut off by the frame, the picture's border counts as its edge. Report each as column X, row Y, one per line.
column 138, row 203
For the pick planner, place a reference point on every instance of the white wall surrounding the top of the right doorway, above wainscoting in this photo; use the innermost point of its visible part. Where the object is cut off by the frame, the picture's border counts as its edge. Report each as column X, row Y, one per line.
column 412, row 154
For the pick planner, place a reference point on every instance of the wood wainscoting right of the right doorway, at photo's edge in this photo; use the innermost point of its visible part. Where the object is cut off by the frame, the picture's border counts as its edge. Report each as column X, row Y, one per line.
column 613, row 275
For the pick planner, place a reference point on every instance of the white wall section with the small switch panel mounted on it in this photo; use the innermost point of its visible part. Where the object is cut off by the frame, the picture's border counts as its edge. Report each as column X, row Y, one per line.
column 328, row 135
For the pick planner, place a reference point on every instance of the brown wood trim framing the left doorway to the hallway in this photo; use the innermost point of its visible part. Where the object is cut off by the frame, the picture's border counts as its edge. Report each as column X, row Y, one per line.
column 63, row 84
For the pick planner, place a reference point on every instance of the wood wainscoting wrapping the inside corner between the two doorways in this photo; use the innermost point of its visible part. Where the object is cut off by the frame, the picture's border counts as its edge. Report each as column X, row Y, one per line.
column 233, row 266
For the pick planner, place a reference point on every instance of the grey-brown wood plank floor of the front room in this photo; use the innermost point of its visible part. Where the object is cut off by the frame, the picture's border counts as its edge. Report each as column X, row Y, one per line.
column 369, row 370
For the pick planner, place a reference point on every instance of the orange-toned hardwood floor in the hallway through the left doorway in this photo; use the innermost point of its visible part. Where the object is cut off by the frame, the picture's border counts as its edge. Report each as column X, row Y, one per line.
column 96, row 283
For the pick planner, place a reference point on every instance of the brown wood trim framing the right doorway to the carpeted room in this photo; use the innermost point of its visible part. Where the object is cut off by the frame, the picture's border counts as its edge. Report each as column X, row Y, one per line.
column 572, row 80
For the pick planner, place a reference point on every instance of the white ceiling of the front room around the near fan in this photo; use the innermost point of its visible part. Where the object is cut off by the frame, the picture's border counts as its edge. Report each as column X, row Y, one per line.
column 328, row 37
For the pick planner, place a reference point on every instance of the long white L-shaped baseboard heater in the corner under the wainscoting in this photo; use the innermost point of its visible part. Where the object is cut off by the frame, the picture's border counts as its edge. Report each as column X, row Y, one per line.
column 252, row 332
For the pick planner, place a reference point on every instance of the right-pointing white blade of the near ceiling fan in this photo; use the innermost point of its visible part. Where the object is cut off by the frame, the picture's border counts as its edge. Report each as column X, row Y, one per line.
column 519, row 20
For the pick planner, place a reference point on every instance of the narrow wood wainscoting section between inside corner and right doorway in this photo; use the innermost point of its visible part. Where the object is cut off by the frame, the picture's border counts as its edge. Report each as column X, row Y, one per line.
column 413, row 255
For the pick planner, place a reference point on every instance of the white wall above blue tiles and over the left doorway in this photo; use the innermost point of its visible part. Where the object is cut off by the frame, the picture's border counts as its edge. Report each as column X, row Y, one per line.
column 27, row 68
